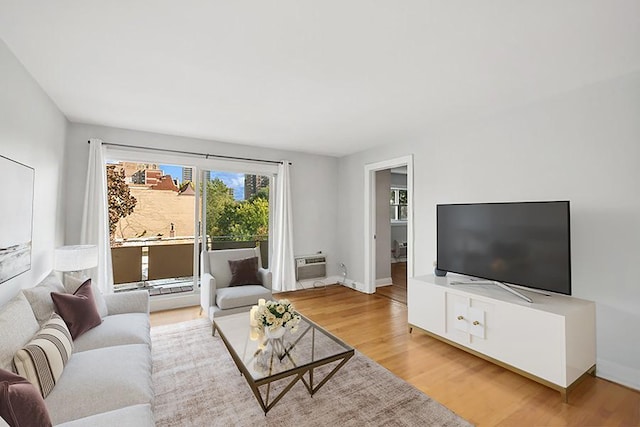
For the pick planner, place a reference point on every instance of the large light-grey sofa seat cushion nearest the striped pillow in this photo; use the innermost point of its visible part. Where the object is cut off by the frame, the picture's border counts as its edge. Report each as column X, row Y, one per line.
column 102, row 380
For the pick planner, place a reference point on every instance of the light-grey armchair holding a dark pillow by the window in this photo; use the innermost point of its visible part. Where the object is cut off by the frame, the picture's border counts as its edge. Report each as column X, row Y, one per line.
column 217, row 298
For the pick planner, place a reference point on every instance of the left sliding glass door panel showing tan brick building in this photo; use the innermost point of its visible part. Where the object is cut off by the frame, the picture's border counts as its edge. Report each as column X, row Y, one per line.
column 151, row 212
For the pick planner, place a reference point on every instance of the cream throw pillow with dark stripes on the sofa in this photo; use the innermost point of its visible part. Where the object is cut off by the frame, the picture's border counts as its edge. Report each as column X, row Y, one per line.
column 42, row 360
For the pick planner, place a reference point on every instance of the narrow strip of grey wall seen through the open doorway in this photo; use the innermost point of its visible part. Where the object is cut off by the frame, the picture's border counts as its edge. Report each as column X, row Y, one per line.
column 383, row 227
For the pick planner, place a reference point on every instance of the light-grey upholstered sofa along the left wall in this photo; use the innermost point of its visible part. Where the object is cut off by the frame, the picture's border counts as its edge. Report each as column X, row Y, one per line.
column 107, row 381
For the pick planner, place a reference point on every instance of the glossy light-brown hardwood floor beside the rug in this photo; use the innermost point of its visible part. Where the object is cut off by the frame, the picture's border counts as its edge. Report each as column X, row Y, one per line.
column 481, row 392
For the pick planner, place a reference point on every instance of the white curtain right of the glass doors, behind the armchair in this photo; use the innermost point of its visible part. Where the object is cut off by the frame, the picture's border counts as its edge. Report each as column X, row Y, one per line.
column 282, row 267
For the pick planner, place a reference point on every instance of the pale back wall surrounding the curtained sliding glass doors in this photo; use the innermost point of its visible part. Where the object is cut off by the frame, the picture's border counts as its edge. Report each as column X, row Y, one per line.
column 314, row 182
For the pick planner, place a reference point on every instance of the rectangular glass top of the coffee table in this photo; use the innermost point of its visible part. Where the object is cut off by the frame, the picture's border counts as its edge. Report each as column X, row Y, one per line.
column 266, row 359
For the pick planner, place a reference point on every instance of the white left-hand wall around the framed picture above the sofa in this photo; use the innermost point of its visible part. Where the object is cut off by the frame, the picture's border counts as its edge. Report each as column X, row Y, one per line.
column 32, row 132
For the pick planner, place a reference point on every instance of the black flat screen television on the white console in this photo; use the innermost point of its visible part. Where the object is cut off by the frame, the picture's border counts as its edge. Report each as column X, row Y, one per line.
column 523, row 243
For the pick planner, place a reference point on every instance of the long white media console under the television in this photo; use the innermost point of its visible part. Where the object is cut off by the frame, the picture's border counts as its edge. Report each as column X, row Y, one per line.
column 552, row 340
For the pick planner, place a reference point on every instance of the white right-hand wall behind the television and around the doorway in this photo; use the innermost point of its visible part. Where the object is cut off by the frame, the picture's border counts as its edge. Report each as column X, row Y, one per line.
column 583, row 146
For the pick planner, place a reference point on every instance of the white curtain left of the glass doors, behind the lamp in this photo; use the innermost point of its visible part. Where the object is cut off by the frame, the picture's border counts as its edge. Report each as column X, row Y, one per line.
column 95, row 216
